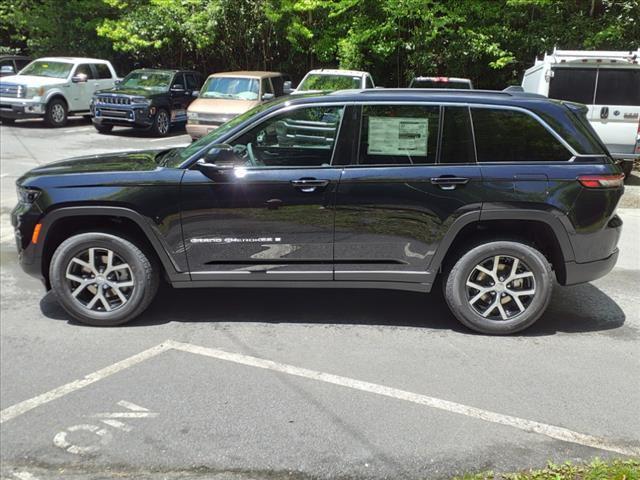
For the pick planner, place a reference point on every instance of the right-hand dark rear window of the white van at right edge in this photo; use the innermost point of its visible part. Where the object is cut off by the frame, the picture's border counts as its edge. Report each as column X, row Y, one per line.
column 618, row 87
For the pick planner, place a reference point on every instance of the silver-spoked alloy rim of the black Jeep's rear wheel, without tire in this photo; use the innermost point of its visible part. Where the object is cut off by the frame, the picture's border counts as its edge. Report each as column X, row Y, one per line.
column 500, row 287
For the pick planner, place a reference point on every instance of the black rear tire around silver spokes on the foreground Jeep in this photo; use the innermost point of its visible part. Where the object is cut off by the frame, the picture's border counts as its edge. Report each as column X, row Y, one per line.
column 459, row 295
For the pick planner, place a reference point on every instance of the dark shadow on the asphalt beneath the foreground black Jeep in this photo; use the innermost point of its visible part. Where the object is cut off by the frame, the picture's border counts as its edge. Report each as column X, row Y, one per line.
column 582, row 308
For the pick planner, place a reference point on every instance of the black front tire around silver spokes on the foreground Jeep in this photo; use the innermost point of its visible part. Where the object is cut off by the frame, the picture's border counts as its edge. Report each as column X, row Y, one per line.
column 144, row 277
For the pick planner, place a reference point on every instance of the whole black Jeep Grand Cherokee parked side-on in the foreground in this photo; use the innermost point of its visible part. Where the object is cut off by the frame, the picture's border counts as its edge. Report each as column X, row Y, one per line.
column 494, row 192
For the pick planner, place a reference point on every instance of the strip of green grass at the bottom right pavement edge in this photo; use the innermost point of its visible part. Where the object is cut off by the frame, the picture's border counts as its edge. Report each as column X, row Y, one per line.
column 596, row 470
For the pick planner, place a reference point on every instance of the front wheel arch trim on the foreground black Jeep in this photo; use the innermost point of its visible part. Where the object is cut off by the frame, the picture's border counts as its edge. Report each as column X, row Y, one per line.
column 158, row 245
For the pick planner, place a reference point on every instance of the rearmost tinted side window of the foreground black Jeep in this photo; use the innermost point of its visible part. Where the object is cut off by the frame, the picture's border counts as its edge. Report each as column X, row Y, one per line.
column 511, row 136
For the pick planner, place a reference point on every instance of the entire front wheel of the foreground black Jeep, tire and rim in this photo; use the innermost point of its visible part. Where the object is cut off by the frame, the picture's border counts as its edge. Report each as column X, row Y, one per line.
column 101, row 279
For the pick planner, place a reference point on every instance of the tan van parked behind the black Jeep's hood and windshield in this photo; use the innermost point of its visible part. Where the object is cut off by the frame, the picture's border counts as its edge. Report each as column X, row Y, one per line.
column 225, row 95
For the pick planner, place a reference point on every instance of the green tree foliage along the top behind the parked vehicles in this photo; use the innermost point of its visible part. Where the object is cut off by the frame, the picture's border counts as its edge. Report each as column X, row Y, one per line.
column 489, row 41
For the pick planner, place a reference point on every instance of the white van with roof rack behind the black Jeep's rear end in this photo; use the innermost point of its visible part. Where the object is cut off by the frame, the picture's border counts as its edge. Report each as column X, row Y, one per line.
column 607, row 82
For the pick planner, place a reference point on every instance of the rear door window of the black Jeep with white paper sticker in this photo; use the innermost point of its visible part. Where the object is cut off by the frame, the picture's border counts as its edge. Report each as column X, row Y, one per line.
column 398, row 134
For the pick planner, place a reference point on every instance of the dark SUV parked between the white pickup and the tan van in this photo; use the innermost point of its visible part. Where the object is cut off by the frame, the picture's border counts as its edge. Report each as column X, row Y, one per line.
column 148, row 99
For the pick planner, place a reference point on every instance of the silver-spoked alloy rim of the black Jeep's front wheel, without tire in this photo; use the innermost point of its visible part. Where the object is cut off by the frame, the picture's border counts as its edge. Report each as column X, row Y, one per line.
column 100, row 280
